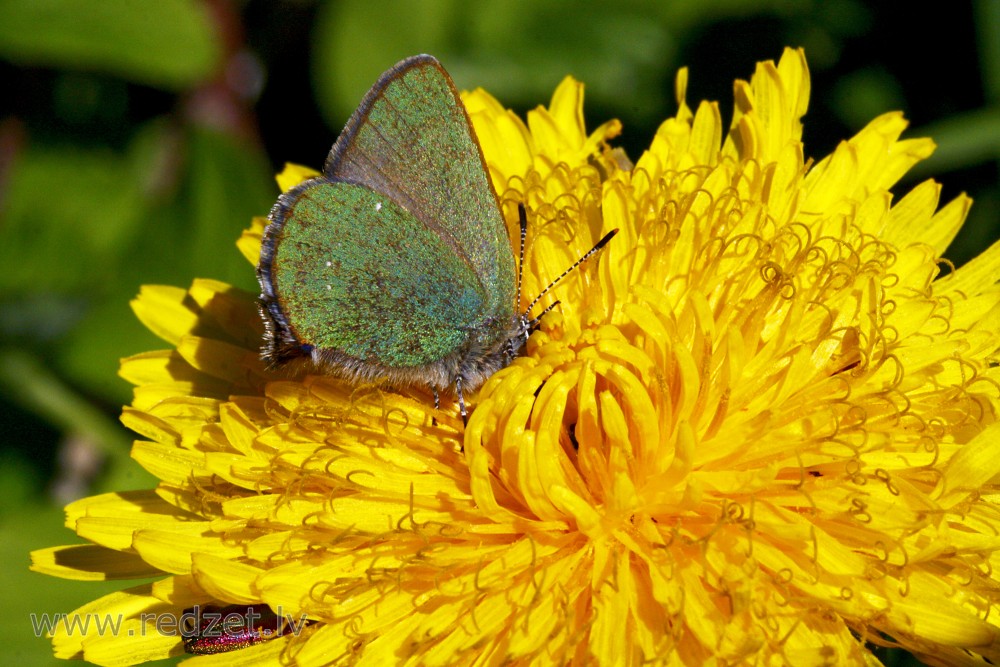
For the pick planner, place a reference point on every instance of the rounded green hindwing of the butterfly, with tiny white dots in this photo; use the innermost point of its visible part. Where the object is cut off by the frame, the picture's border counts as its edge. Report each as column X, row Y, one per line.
column 358, row 274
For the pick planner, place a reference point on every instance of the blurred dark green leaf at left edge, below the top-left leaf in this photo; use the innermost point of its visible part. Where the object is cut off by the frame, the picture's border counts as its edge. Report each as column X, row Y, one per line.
column 70, row 217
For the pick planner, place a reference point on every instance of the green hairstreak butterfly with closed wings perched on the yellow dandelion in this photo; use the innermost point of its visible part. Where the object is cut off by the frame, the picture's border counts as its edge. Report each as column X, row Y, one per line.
column 395, row 264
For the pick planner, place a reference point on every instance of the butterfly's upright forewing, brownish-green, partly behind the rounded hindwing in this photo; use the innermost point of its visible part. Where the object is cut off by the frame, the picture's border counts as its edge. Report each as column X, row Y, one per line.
column 411, row 139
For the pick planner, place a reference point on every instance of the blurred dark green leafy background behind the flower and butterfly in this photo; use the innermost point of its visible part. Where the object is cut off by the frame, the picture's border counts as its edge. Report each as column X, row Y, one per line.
column 138, row 138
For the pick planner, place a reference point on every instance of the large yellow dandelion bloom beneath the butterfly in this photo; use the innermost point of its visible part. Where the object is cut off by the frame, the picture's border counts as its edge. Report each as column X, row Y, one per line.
column 760, row 428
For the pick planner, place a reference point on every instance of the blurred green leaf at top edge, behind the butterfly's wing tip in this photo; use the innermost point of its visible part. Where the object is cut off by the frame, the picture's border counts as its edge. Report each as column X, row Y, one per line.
column 518, row 50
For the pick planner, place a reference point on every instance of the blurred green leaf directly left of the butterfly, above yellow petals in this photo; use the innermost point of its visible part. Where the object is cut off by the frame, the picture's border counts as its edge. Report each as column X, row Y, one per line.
column 223, row 184
